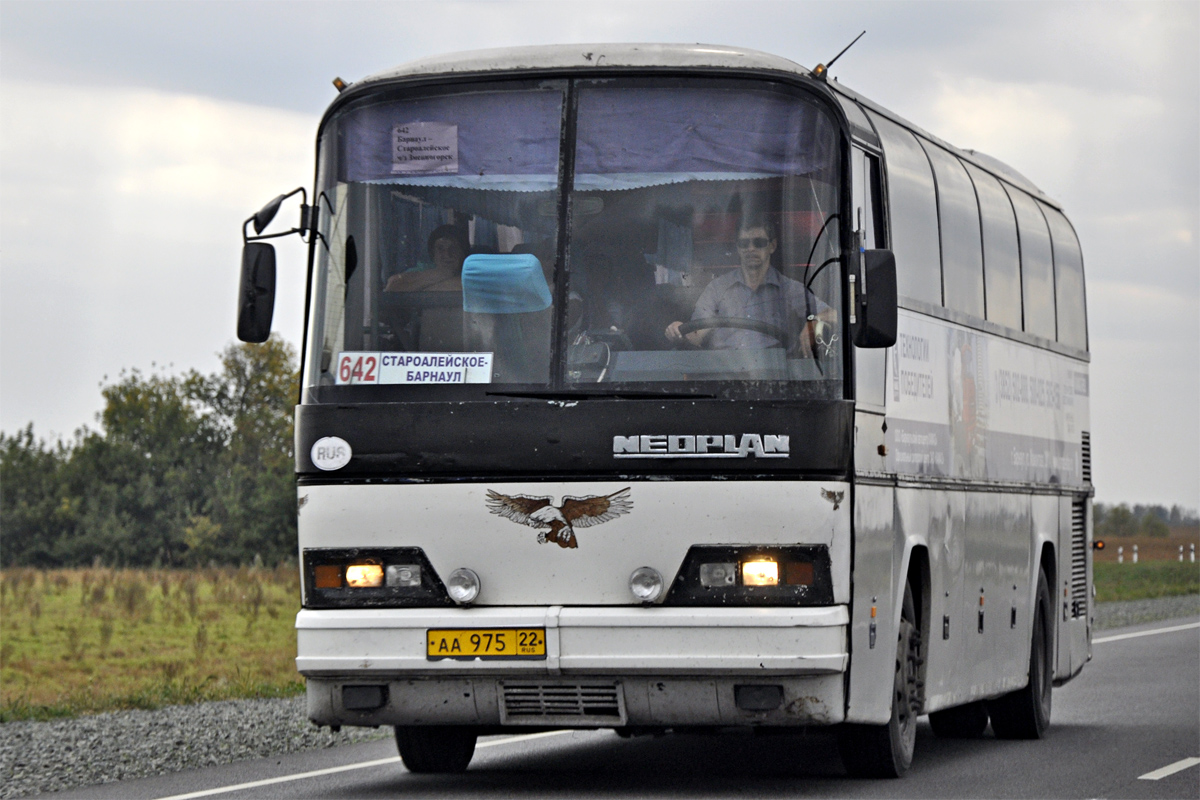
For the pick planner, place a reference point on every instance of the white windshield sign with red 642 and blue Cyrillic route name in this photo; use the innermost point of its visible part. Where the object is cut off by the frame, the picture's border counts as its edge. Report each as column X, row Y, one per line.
column 415, row 369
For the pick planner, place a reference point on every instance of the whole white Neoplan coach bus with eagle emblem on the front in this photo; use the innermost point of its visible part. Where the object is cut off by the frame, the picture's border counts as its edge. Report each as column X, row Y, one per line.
column 667, row 387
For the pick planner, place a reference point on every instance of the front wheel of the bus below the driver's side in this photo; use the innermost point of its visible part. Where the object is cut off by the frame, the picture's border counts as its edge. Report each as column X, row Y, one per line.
column 886, row 750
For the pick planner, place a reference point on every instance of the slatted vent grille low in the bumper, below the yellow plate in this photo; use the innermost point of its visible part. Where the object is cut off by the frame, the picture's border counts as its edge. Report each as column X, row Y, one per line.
column 598, row 705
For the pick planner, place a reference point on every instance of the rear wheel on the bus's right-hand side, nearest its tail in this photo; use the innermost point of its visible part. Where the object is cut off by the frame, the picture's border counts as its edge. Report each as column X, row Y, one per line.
column 1025, row 714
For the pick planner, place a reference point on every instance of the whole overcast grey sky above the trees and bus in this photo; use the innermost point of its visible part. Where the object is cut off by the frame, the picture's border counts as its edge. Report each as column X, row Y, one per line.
column 135, row 139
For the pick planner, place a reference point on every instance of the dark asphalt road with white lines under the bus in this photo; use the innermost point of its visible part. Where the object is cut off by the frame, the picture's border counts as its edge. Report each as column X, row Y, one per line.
column 1135, row 711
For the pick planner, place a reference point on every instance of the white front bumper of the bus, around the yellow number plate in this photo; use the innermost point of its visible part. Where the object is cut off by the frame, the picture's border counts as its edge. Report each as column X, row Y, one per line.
column 605, row 667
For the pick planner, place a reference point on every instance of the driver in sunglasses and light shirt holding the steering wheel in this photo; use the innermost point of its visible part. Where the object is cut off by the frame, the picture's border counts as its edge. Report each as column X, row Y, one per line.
column 757, row 292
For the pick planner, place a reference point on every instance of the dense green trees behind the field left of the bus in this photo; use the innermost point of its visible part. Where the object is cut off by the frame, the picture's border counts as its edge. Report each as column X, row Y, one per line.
column 185, row 471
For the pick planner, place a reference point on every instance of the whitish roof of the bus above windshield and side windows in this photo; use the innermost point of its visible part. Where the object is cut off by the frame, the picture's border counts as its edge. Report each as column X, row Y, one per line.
column 651, row 56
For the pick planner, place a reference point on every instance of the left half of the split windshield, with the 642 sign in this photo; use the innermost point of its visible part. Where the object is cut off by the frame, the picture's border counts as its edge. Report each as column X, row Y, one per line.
column 440, row 266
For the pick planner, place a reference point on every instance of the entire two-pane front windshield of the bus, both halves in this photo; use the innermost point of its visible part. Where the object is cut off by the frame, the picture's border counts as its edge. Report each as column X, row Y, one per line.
column 701, row 249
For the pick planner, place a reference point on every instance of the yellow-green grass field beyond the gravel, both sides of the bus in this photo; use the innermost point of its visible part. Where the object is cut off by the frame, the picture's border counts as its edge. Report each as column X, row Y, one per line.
column 85, row 641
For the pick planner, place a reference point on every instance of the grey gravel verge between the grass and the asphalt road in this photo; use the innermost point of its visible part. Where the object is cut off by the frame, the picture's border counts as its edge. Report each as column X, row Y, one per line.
column 86, row 751
